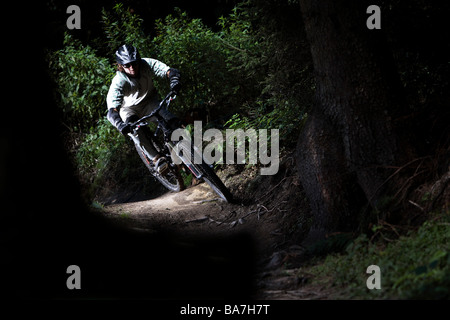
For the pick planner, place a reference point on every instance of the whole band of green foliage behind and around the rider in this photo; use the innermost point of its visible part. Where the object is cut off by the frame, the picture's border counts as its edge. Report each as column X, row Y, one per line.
column 233, row 70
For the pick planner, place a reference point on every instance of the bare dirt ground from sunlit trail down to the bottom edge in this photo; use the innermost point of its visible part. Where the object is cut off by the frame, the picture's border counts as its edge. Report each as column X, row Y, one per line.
column 272, row 209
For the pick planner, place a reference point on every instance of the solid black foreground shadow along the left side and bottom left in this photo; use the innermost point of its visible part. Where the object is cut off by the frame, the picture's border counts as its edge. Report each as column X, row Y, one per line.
column 44, row 225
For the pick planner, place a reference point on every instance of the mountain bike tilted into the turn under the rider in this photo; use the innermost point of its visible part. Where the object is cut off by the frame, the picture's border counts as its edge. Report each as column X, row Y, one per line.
column 176, row 153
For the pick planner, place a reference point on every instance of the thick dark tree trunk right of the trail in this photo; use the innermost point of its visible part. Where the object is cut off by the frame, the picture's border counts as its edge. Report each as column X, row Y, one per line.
column 349, row 141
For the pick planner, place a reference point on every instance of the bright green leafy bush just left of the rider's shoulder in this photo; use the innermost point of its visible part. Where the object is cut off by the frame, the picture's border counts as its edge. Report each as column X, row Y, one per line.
column 82, row 83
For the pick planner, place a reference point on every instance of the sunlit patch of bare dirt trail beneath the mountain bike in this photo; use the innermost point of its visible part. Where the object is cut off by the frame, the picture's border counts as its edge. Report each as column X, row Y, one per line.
column 198, row 210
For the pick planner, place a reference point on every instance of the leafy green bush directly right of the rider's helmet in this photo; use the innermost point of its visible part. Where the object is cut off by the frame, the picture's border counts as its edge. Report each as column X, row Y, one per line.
column 188, row 45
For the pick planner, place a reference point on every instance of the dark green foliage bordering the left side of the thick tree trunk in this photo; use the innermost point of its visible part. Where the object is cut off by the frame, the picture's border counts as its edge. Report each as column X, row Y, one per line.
column 277, row 62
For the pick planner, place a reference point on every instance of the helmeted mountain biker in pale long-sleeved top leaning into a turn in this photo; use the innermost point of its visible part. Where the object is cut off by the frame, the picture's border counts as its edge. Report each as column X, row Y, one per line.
column 132, row 93
